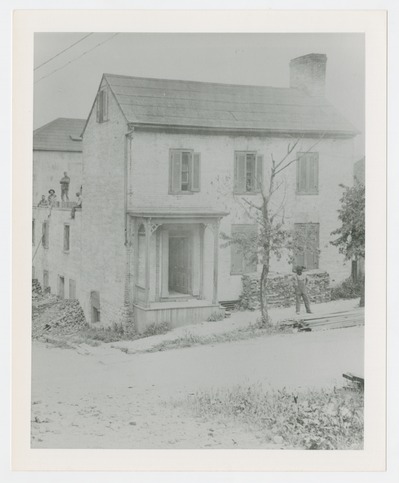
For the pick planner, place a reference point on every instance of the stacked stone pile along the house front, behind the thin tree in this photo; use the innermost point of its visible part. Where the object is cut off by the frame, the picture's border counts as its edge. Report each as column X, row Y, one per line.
column 280, row 290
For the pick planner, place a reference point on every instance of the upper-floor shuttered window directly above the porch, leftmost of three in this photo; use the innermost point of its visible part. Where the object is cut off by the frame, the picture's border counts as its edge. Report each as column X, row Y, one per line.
column 184, row 171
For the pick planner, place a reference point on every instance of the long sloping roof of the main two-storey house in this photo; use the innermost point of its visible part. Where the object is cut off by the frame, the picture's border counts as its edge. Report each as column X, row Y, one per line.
column 177, row 103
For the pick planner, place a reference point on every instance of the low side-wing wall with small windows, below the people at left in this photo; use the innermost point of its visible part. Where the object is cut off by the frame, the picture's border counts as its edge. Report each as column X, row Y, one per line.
column 55, row 259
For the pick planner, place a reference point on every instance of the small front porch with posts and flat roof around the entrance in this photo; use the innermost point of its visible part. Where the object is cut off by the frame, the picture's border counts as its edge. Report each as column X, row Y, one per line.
column 174, row 265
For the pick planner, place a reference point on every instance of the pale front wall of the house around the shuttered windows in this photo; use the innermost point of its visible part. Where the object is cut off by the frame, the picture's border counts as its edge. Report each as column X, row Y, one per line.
column 149, row 186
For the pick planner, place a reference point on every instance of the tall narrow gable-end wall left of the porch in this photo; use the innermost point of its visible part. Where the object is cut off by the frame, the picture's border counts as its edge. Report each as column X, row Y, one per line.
column 104, row 260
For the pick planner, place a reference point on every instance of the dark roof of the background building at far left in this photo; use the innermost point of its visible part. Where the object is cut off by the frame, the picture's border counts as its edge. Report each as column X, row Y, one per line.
column 62, row 134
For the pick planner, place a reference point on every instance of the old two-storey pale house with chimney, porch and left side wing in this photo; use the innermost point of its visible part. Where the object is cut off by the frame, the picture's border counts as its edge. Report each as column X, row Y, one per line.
column 166, row 166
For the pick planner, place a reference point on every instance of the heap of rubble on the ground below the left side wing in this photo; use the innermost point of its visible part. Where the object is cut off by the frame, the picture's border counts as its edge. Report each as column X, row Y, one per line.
column 52, row 315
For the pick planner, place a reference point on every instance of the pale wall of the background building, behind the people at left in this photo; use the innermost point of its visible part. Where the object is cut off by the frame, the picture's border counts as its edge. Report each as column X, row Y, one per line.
column 48, row 169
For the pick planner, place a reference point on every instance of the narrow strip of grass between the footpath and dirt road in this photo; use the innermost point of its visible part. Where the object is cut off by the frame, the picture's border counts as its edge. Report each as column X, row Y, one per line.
column 188, row 339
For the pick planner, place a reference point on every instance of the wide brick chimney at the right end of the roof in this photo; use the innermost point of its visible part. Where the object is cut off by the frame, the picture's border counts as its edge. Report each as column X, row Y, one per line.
column 308, row 73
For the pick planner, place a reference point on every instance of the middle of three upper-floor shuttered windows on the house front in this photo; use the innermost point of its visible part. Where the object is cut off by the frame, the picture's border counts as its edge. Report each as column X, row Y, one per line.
column 248, row 172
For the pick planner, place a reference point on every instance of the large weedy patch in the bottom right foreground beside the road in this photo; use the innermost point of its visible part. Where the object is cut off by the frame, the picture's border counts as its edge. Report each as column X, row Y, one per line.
column 313, row 420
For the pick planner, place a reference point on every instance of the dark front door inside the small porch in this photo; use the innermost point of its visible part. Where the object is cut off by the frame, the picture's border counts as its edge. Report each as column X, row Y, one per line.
column 179, row 264
